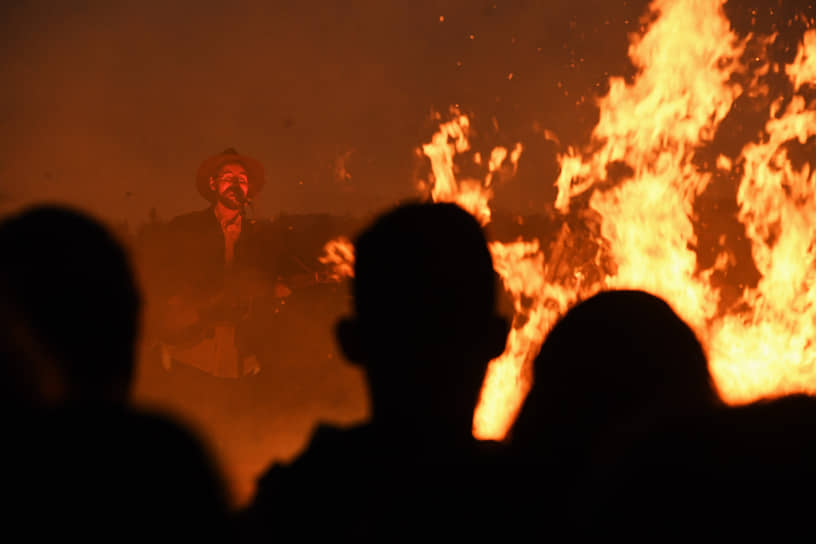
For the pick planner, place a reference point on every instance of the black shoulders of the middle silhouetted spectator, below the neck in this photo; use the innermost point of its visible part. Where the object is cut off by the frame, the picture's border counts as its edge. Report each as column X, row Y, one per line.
column 349, row 483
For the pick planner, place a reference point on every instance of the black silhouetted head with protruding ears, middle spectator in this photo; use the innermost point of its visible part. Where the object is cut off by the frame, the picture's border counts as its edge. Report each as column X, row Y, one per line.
column 425, row 323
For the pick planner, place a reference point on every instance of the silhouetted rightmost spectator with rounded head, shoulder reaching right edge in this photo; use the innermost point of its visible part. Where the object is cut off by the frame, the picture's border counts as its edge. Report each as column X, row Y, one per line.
column 623, row 435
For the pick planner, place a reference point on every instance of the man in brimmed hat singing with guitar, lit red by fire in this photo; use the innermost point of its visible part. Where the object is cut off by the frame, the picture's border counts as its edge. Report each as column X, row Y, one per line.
column 219, row 267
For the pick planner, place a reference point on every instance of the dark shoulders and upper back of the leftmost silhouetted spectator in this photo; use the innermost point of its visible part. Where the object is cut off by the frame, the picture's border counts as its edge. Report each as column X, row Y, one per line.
column 103, row 469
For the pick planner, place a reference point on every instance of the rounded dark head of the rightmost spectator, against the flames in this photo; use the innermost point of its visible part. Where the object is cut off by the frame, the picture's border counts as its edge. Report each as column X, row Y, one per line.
column 613, row 359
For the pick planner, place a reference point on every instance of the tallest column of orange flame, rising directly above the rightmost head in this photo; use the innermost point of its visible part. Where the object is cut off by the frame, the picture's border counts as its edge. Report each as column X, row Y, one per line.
column 654, row 126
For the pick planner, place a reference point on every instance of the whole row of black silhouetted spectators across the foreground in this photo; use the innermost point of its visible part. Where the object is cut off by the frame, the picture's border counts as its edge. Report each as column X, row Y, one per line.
column 622, row 431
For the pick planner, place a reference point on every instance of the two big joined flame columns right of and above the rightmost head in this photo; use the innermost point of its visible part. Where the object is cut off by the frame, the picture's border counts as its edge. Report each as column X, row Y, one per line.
column 655, row 126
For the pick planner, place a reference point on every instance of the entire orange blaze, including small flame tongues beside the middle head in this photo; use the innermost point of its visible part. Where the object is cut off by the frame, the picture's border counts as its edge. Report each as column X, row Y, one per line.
column 655, row 129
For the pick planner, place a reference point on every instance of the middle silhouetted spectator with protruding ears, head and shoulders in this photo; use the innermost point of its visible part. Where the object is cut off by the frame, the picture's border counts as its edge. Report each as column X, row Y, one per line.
column 423, row 329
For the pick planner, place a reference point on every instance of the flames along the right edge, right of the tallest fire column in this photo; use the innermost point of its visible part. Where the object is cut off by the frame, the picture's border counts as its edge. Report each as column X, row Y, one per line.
column 768, row 349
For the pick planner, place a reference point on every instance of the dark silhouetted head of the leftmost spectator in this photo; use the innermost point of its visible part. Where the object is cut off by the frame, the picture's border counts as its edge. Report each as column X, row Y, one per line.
column 70, row 288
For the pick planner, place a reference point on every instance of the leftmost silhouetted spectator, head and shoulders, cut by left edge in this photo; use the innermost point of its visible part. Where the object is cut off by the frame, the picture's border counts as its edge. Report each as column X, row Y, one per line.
column 89, row 466
